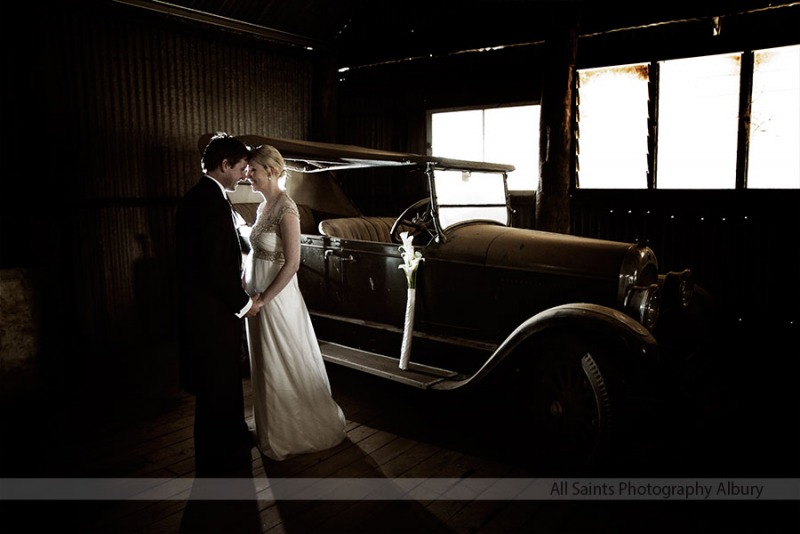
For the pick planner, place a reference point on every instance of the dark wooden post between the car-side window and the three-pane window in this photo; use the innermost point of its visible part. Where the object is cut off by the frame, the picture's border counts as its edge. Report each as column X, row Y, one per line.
column 555, row 144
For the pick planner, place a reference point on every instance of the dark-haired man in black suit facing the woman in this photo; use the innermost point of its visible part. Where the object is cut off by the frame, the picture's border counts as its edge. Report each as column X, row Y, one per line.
column 212, row 304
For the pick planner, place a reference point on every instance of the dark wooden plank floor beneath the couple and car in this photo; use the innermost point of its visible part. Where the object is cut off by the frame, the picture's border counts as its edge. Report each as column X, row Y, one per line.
column 393, row 432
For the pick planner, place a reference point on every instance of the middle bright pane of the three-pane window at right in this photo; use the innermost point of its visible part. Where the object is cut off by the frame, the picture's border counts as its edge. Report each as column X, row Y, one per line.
column 698, row 121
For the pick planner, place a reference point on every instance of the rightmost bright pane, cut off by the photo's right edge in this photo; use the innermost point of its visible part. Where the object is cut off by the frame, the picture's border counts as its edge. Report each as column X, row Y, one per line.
column 774, row 159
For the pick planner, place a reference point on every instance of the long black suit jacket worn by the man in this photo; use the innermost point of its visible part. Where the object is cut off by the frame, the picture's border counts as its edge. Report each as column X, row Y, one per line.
column 209, row 275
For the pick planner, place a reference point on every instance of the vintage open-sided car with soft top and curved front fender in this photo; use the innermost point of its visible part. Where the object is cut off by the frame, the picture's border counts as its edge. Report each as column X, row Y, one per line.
column 567, row 326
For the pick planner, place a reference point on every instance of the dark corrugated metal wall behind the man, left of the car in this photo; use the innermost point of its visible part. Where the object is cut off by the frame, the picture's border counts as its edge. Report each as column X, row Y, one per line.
column 130, row 99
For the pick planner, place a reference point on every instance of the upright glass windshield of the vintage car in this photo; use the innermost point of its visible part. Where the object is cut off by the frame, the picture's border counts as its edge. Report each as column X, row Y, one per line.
column 470, row 195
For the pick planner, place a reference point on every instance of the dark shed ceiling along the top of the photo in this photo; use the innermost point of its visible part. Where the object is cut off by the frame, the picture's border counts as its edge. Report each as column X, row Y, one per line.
column 364, row 32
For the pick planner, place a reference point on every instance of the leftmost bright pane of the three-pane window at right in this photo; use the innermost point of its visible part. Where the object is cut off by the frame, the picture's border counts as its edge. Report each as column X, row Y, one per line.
column 612, row 127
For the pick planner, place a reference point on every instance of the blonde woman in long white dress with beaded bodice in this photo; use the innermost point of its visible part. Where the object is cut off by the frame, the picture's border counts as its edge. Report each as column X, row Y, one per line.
column 292, row 403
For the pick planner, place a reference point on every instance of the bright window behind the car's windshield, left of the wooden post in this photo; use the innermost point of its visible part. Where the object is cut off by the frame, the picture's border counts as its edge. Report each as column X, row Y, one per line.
column 507, row 135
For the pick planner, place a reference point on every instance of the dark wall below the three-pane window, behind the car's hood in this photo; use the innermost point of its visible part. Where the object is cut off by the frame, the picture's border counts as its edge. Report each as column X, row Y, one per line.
column 743, row 246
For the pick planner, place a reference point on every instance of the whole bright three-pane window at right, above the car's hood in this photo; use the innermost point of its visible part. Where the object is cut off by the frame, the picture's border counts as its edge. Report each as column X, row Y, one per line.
column 692, row 127
